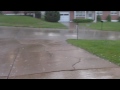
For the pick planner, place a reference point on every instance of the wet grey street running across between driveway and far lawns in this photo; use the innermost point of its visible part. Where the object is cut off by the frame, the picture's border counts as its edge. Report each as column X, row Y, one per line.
column 58, row 34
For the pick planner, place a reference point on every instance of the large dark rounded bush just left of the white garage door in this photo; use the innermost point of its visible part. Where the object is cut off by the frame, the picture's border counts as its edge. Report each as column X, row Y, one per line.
column 52, row 16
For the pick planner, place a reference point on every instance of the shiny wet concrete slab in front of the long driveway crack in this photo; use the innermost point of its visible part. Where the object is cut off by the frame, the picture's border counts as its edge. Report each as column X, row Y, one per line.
column 78, row 74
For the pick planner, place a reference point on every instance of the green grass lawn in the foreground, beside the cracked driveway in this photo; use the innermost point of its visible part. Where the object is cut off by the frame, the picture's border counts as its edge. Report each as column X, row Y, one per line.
column 107, row 49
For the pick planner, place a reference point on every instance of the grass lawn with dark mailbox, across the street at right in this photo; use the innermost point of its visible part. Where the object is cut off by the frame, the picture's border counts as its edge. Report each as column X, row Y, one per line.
column 108, row 26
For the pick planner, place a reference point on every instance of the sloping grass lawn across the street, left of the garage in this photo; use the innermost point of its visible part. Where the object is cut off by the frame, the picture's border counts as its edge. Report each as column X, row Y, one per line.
column 26, row 21
